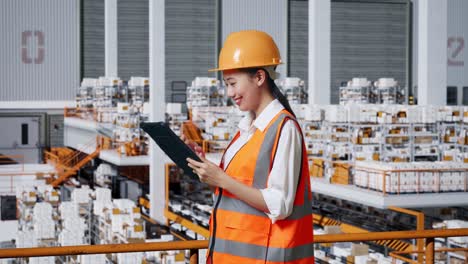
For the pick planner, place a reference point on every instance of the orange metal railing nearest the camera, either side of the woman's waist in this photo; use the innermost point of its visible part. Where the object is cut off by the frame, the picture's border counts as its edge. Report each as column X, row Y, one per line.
column 194, row 246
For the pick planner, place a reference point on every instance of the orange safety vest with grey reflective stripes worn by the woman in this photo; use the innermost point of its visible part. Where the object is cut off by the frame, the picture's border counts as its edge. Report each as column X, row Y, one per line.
column 240, row 233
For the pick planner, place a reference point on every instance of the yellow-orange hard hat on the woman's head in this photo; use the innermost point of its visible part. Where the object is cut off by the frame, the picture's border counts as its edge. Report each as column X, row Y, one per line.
column 248, row 49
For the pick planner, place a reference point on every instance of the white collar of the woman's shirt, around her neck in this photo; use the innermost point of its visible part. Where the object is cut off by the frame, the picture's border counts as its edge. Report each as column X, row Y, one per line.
column 262, row 121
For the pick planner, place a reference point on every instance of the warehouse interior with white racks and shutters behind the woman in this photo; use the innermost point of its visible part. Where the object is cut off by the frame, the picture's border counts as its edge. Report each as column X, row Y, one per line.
column 379, row 88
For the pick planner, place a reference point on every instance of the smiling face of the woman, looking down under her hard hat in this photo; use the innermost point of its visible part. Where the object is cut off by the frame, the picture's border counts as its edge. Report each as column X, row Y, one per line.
column 243, row 89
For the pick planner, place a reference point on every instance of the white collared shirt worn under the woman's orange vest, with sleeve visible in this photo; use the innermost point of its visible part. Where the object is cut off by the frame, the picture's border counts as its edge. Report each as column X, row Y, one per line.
column 282, row 181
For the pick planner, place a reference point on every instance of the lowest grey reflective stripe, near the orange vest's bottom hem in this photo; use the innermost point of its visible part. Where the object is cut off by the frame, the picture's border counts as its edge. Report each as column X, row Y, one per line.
column 263, row 253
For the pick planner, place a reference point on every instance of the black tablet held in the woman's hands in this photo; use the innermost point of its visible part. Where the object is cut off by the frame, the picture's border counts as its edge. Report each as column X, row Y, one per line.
column 171, row 144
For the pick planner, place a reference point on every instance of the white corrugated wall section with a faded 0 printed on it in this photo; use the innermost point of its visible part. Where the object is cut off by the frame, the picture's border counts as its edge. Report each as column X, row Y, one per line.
column 39, row 50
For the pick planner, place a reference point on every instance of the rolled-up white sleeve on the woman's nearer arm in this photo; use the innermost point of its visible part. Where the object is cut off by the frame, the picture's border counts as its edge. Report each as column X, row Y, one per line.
column 282, row 182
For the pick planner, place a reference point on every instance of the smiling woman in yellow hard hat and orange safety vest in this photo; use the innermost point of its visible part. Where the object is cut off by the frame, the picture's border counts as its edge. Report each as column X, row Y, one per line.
column 262, row 211
